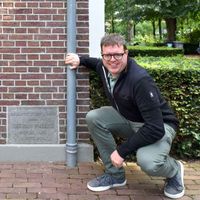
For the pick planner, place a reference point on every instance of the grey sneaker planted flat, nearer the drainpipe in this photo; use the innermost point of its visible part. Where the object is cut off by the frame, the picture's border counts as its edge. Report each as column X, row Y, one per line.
column 105, row 182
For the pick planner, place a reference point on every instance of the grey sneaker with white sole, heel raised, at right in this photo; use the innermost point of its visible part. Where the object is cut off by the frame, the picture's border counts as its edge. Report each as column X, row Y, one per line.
column 174, row 187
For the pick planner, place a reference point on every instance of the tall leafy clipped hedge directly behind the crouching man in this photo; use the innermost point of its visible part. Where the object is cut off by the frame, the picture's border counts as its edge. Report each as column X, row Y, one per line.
column 179, row 81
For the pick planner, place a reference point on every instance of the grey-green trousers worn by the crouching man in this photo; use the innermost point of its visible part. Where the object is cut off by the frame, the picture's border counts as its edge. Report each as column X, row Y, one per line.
column 153, row 159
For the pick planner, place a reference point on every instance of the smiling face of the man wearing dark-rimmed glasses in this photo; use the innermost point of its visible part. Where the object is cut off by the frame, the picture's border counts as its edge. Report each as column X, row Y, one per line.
column 114, row 58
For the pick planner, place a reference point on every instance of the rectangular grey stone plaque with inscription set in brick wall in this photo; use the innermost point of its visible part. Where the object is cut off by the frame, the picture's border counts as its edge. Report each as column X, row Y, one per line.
column 32, row 125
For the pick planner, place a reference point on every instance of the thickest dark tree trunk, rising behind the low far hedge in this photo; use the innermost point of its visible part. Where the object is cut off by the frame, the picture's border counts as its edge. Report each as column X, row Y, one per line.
column 171, row 29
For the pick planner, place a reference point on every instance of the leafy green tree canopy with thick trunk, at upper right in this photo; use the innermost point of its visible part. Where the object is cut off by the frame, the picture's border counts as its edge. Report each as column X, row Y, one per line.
column 133, row 11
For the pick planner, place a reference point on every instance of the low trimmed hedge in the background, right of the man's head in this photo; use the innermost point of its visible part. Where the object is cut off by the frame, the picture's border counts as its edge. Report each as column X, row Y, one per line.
column 154, row 51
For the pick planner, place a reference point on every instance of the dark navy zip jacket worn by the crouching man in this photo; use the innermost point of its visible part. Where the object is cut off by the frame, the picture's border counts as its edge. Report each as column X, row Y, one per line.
column 138, row 99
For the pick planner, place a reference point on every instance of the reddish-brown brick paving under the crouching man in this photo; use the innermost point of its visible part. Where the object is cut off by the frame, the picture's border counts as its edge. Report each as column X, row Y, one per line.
column 55, row 181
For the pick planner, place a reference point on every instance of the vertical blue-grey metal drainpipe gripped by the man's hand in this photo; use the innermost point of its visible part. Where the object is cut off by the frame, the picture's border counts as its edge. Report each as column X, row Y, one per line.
column 71, row 144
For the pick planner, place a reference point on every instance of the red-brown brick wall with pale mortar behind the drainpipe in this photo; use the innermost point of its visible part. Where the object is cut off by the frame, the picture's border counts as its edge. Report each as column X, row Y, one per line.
column 32, row 48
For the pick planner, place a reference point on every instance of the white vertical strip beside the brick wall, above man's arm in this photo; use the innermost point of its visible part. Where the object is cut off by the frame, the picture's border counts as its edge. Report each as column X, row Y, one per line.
column 96, row 26
